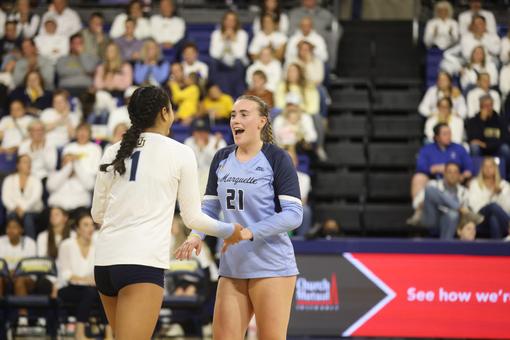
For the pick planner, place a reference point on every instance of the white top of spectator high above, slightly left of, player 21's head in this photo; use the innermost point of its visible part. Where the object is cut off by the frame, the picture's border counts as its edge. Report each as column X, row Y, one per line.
column 228, row 51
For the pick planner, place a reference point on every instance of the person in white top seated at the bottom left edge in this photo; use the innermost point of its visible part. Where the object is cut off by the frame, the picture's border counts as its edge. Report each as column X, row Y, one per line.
column 13, row 248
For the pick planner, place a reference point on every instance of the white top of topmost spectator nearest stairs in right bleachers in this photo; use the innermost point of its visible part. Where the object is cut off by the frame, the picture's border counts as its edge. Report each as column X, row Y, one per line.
column 441, row 33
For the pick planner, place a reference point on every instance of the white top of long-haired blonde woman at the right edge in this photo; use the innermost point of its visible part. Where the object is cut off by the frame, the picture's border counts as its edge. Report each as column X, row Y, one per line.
column 479, row 197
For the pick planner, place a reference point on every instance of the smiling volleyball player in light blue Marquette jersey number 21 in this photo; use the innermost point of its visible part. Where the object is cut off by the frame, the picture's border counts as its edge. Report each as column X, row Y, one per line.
column 254, row 183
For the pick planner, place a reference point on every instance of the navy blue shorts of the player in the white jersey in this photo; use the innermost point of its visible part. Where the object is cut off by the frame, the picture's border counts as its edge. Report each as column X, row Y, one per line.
column 111, row 279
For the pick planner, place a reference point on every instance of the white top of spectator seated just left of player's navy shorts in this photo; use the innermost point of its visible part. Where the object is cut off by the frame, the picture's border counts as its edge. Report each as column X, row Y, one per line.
column 71, row 261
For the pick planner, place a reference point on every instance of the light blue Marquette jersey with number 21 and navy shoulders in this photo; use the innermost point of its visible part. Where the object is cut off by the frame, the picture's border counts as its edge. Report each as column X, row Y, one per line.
column 263, row 195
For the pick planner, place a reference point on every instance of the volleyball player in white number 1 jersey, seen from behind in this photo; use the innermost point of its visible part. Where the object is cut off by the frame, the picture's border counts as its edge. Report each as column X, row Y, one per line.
column 139, row 181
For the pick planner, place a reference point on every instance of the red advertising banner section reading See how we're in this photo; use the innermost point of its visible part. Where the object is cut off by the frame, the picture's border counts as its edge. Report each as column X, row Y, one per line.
column 456, row 296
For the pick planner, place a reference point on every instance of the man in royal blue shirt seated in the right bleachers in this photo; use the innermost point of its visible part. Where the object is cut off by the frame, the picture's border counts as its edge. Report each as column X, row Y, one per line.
column 433, row 157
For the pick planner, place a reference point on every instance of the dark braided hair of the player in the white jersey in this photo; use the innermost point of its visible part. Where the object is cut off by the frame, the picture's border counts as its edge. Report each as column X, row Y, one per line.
column 144, row 106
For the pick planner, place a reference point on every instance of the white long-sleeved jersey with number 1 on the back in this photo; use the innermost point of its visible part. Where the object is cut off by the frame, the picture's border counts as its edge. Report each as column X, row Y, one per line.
column 136, row 209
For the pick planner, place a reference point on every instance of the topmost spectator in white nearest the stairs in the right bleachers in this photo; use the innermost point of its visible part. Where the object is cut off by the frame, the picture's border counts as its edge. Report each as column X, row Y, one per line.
column 441, row 31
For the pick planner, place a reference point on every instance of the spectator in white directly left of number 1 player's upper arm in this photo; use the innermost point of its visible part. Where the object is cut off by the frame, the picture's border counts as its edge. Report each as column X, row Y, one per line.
column 71, row 186
